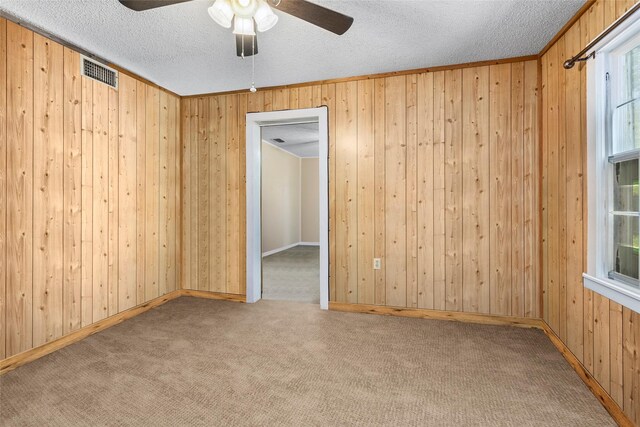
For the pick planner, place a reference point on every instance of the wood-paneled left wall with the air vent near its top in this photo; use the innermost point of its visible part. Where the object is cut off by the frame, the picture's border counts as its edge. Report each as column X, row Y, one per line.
column 88, row 192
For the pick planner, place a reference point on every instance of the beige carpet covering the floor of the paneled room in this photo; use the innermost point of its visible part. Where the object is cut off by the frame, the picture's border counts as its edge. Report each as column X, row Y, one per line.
column 201, row 362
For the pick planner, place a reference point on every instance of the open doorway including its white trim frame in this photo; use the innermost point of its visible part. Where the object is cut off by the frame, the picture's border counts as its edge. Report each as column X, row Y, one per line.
column 293, row 237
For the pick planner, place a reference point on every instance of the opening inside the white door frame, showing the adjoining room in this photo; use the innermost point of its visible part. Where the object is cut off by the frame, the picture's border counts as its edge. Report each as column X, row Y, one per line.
column 290, row 207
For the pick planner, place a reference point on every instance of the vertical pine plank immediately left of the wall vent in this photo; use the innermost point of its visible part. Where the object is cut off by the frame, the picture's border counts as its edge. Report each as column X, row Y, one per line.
column 72, row 216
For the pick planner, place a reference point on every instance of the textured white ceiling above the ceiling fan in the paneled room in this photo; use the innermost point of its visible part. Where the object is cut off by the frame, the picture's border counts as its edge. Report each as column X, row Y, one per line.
column 180, row 48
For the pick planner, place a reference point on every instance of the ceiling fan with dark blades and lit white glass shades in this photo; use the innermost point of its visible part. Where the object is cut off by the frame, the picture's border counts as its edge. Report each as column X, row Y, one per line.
column 248, row 16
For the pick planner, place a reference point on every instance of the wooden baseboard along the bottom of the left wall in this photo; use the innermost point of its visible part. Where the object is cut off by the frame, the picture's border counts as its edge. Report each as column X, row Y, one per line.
column 20, row 359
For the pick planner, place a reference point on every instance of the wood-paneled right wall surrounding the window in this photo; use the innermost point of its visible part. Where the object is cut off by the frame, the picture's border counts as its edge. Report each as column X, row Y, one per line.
column 603, row 335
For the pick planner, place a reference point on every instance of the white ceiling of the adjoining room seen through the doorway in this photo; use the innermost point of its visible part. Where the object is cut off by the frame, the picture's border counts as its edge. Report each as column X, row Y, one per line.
column 300, row 139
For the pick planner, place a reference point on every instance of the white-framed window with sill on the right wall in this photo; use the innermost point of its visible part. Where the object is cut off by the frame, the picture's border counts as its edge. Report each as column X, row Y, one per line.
column 613, row 121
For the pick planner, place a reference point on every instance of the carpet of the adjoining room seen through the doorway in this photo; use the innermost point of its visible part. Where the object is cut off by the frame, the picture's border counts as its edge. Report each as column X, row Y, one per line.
column 292, row 275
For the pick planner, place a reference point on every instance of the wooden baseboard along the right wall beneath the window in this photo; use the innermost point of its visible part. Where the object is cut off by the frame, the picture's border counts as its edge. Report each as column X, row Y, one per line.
column 598, row 391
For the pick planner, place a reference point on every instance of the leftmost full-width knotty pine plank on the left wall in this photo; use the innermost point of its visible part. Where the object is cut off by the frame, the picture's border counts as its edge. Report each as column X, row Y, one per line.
column 19, row 189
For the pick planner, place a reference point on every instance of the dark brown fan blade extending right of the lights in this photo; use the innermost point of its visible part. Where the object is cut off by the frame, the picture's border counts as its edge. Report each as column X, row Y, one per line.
column 317, row 15
